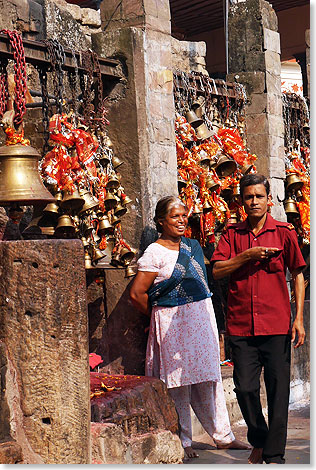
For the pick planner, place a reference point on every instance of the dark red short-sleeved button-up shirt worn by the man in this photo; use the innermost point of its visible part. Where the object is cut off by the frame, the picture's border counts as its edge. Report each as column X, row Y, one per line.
column 258, row 299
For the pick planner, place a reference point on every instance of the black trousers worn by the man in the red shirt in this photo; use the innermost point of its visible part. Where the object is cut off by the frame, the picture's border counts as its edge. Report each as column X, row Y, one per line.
column 249, row 355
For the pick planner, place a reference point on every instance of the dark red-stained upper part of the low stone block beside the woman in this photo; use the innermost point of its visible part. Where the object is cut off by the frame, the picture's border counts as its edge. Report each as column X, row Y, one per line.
column 141, row 405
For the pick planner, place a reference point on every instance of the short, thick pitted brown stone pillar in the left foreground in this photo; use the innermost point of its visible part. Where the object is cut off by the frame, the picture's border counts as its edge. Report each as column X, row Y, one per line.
column 44, row 397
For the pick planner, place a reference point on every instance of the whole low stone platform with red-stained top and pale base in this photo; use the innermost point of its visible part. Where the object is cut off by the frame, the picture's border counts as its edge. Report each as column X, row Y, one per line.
column 135, row 423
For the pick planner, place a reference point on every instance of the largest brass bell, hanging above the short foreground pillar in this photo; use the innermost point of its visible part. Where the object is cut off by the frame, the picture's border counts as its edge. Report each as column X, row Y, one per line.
column 20, row 181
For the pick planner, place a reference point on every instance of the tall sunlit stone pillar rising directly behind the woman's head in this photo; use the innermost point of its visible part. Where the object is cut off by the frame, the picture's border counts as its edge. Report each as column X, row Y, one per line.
column 142, row 113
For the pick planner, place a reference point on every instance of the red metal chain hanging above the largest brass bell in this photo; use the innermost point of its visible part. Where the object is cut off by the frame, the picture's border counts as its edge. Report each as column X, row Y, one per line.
column 19, row 75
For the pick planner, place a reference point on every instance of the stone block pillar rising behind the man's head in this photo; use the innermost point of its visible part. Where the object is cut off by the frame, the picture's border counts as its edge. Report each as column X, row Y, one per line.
column 254, row 60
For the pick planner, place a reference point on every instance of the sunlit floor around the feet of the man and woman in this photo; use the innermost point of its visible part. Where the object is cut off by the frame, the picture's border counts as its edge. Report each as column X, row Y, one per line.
column 297, row 449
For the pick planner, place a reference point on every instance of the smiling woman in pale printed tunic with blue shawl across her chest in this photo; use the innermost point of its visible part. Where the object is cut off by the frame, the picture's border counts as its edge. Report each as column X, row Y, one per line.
column 183, row 348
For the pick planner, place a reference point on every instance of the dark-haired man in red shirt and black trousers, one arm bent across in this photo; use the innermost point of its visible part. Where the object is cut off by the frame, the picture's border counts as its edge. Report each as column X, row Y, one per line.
column 255, row 254
